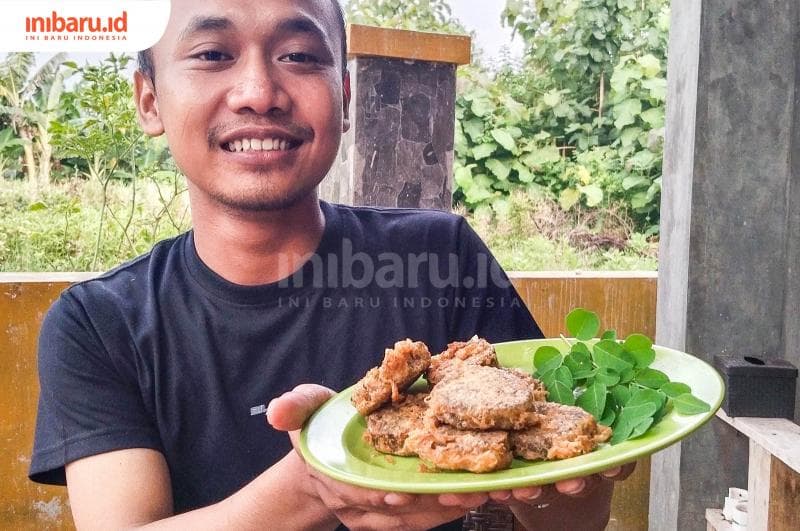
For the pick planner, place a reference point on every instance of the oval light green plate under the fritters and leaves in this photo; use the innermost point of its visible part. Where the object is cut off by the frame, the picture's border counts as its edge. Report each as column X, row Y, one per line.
column 332, row 440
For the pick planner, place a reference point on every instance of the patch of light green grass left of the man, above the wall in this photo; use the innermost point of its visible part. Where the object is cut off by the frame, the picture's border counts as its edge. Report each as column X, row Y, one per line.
column 56, row 230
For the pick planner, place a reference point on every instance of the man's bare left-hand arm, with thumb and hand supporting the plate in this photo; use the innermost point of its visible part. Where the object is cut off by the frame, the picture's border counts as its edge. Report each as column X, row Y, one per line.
column 130, row 489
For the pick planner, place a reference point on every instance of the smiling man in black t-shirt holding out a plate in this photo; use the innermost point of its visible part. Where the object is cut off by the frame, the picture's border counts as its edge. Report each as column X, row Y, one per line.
column 150, row 373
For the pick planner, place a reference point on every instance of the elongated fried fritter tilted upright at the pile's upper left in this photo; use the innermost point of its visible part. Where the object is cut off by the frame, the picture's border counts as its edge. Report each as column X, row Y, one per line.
column 401, row 366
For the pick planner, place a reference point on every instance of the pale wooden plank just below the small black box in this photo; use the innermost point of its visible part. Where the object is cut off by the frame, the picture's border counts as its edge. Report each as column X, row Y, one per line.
column 780, row 437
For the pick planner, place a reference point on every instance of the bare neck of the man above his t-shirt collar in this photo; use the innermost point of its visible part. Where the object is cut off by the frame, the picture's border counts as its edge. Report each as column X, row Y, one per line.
column 257, row 248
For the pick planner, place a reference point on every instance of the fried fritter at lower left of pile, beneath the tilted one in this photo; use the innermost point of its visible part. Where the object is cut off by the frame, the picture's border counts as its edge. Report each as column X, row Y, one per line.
column 389, row 426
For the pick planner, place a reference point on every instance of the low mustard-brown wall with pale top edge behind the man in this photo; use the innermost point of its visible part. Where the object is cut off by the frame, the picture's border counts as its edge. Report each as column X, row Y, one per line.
column 625, row 302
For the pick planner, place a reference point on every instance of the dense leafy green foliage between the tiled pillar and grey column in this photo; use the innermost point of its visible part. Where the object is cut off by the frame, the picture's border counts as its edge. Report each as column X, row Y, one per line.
column 583, row 119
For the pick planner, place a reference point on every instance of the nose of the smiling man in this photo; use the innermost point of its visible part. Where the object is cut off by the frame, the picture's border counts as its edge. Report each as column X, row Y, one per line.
column 258, row 88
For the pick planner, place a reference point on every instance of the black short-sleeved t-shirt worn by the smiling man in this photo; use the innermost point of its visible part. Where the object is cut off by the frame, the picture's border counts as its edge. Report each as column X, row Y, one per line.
column 163, row 353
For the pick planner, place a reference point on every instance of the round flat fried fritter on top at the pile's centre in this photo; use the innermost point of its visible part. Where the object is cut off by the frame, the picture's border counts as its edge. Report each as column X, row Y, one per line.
column 484, row 398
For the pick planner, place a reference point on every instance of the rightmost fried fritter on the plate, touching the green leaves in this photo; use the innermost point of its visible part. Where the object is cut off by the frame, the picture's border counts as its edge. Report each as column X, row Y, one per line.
column 563, row 432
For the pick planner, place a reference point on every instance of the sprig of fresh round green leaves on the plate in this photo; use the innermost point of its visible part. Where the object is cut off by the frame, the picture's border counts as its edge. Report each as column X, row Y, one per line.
column 612, row 379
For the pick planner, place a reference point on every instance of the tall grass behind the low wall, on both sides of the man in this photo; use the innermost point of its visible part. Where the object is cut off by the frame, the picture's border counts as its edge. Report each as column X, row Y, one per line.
column 60, row 229
